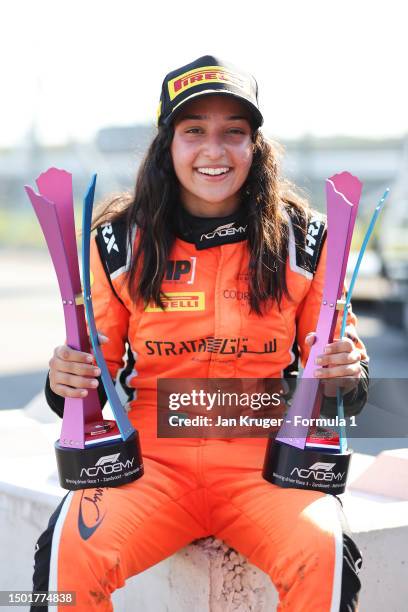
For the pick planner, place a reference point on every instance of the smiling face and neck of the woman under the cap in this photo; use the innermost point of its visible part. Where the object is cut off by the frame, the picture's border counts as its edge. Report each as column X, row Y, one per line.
column 212, row 154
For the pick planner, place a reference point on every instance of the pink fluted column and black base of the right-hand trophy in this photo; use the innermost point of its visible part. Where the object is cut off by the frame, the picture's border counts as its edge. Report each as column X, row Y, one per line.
column 290, row 461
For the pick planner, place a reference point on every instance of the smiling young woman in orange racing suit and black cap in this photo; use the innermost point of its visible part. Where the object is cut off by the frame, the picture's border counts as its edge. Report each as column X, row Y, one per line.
column 203, row 273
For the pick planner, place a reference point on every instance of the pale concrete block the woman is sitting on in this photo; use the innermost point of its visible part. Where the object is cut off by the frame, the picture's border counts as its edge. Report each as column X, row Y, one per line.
column 205, row 576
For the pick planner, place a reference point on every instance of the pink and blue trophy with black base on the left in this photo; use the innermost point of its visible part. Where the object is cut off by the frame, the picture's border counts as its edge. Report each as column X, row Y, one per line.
column 91, row 451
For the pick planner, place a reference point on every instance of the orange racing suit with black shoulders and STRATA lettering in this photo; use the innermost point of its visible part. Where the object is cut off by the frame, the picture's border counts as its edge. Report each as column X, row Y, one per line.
column 196, row 487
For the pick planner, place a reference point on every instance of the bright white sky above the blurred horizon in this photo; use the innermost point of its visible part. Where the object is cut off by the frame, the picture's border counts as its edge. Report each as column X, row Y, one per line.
column 323, row 67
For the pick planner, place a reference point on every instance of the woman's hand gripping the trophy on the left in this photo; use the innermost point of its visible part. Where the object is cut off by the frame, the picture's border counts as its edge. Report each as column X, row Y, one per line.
column 72, row 372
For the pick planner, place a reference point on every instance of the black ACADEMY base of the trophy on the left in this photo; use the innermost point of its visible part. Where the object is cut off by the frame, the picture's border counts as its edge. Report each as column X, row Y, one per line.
column 109, row 465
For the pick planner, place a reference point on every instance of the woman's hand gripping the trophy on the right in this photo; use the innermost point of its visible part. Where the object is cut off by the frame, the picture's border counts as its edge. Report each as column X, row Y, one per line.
column 341, row 359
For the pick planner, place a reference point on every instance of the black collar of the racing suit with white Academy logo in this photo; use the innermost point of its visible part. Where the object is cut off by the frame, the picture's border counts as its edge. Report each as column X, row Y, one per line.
column 206, row 232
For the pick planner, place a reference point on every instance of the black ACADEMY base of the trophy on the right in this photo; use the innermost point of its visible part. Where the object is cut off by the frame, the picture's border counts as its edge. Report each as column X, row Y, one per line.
column 311, row 470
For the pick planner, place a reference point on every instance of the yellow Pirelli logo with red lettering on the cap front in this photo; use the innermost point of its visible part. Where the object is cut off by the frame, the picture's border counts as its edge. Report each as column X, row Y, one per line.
column 208, row 74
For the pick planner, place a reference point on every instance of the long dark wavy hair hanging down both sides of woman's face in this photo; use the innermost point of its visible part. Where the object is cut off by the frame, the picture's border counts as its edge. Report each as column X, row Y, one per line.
column 265, row 195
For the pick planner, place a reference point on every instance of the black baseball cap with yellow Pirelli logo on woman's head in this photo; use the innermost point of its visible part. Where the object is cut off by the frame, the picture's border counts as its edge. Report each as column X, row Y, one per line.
column 207, row 75
